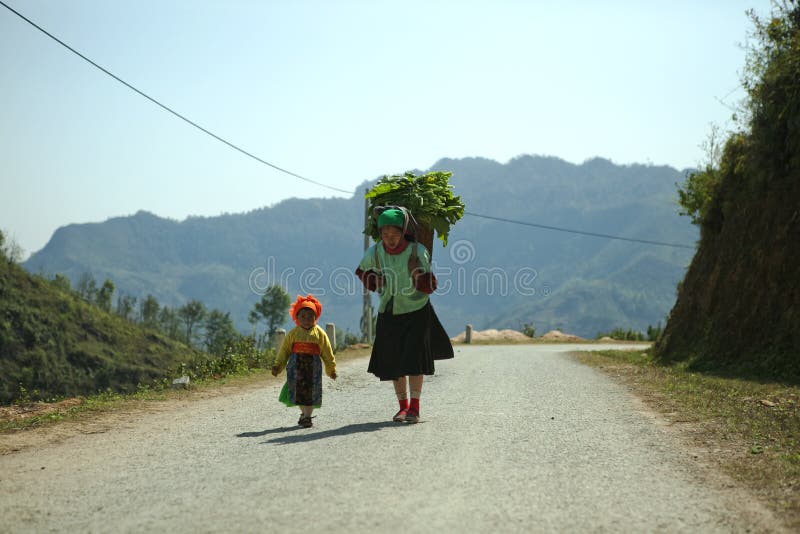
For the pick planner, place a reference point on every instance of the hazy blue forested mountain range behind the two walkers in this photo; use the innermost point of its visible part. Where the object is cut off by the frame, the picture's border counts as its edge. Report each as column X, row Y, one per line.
column 492, row 274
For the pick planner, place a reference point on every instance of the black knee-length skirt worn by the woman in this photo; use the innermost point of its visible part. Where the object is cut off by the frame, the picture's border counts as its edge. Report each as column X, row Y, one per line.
column 407, row 344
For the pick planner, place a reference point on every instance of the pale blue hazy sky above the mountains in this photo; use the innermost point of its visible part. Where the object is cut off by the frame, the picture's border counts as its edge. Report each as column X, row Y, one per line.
column 340, row 92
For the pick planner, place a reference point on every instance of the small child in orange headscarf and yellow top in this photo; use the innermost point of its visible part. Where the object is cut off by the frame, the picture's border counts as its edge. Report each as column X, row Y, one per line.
column 303, row 352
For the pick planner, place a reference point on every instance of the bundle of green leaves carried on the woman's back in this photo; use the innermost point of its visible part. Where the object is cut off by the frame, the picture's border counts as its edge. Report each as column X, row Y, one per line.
column 428, row 197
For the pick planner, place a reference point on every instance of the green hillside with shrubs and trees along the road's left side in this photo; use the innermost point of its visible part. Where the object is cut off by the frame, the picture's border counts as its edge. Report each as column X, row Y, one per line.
column 58, row 341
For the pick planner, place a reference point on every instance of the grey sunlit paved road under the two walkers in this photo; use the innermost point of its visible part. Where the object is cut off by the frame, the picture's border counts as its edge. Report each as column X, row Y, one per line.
column 513, row 439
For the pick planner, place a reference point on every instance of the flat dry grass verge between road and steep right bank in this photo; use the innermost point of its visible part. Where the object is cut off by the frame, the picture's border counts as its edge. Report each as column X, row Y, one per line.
column 749, row 428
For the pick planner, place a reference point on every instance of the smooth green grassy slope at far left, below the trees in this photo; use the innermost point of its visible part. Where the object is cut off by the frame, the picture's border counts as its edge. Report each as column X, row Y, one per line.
column 57, row 345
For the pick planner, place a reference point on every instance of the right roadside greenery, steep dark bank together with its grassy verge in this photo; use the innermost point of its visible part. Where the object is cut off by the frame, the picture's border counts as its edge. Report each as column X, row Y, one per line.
column 725, row 371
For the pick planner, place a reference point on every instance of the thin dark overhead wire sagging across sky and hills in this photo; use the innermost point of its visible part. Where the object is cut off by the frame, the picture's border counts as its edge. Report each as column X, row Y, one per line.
column 250, row 155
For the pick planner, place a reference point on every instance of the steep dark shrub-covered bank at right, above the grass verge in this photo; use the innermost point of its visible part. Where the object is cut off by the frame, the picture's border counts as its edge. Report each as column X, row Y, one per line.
column 738, row 308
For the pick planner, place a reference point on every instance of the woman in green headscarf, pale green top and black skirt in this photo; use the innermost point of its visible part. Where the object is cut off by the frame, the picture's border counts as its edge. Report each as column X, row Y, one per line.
column 409, row 336
